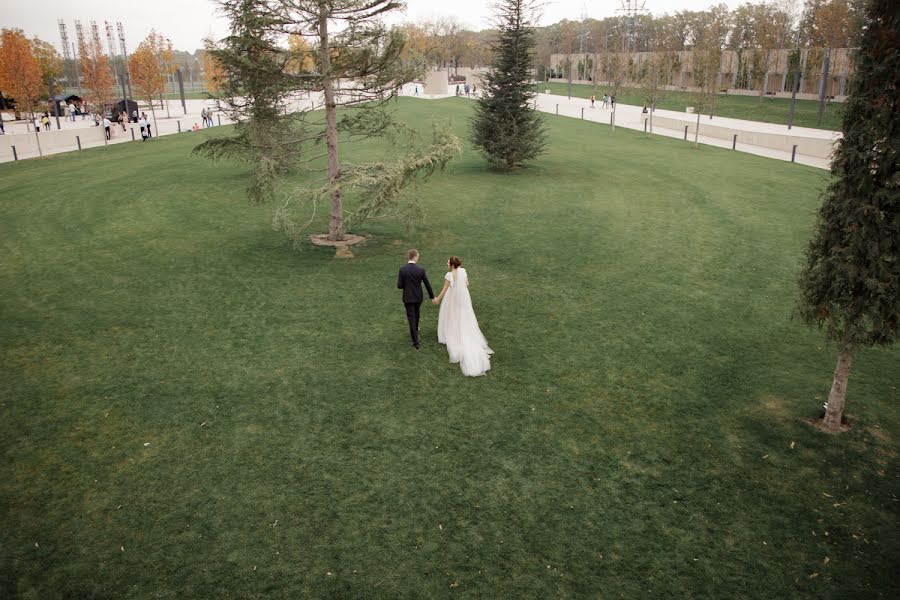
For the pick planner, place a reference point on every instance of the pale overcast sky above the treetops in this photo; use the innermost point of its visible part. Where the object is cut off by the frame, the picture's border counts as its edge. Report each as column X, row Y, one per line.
column 187, row 22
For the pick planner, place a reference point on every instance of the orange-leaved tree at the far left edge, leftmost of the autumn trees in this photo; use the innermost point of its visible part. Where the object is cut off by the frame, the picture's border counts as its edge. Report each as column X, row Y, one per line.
column 20, row 71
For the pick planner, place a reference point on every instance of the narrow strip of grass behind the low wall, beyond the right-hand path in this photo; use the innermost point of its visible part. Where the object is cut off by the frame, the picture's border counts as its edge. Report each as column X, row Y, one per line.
column 767, row 110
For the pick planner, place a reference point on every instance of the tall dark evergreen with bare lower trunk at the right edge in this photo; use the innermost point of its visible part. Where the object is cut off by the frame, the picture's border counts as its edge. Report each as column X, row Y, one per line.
column 851, row 282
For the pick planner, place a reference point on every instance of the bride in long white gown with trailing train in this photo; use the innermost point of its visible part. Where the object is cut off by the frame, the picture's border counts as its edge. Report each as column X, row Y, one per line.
column 457, row 325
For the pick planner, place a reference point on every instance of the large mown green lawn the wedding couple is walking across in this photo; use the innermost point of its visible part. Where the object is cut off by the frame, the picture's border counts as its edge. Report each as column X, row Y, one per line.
column 192, row 409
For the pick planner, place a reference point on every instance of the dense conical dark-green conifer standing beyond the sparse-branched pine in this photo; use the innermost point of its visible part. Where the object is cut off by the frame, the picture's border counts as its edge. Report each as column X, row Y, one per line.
column 506, row 127
